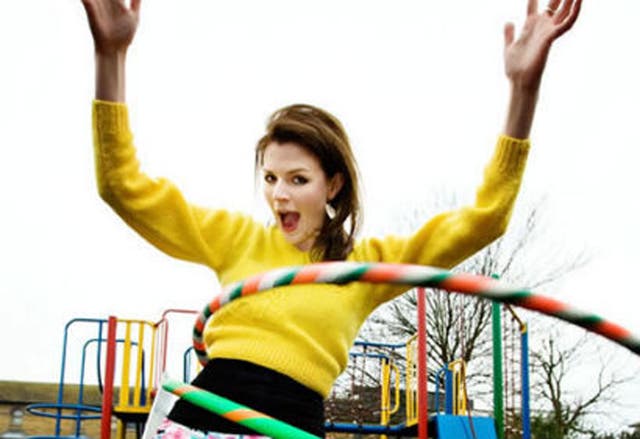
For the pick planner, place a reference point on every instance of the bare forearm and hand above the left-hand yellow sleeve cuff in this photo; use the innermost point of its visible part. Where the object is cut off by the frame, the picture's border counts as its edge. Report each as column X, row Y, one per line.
column 113, row 25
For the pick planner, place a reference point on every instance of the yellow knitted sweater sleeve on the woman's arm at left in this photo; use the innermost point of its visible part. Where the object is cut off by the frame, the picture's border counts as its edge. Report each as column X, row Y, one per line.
column 155, row 208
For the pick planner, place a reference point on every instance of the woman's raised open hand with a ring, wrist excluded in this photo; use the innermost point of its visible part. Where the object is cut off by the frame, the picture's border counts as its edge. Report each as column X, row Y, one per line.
column 525, row 57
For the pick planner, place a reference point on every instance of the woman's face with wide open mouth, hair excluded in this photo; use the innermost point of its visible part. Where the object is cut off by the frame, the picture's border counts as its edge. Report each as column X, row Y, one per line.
column 297, row 189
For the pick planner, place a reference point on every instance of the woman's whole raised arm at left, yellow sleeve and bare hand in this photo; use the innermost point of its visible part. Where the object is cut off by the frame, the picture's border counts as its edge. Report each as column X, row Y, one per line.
column 153, row 207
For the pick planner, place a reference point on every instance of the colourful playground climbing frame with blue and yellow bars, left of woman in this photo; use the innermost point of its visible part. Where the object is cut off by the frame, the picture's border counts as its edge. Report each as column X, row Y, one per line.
column 130, row 356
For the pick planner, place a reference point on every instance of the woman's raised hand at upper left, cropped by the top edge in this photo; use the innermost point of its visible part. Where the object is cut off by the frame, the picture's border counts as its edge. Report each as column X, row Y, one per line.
column 113, row 24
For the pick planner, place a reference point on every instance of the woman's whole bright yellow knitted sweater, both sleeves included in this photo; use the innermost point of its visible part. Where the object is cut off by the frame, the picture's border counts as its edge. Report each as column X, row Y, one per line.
column 302, row 331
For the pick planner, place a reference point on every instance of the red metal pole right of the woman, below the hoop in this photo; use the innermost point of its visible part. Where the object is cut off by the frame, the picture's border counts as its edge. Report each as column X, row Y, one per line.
column 423, row 395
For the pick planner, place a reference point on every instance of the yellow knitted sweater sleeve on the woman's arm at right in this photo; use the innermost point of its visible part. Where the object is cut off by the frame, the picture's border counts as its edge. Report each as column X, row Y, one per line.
column 451, row 237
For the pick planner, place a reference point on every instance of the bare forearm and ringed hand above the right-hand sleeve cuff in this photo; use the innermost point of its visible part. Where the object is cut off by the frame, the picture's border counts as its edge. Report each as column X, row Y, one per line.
column 525, row 58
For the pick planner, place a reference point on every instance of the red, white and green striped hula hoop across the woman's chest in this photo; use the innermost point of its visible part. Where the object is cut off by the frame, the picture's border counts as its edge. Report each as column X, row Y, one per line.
column 412, row 276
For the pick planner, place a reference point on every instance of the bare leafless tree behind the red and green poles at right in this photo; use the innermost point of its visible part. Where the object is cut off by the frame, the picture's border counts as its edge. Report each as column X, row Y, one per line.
column 458, row 325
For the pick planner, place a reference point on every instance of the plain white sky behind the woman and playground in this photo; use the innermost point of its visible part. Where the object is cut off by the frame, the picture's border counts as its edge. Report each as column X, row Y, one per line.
column 418, row 84
